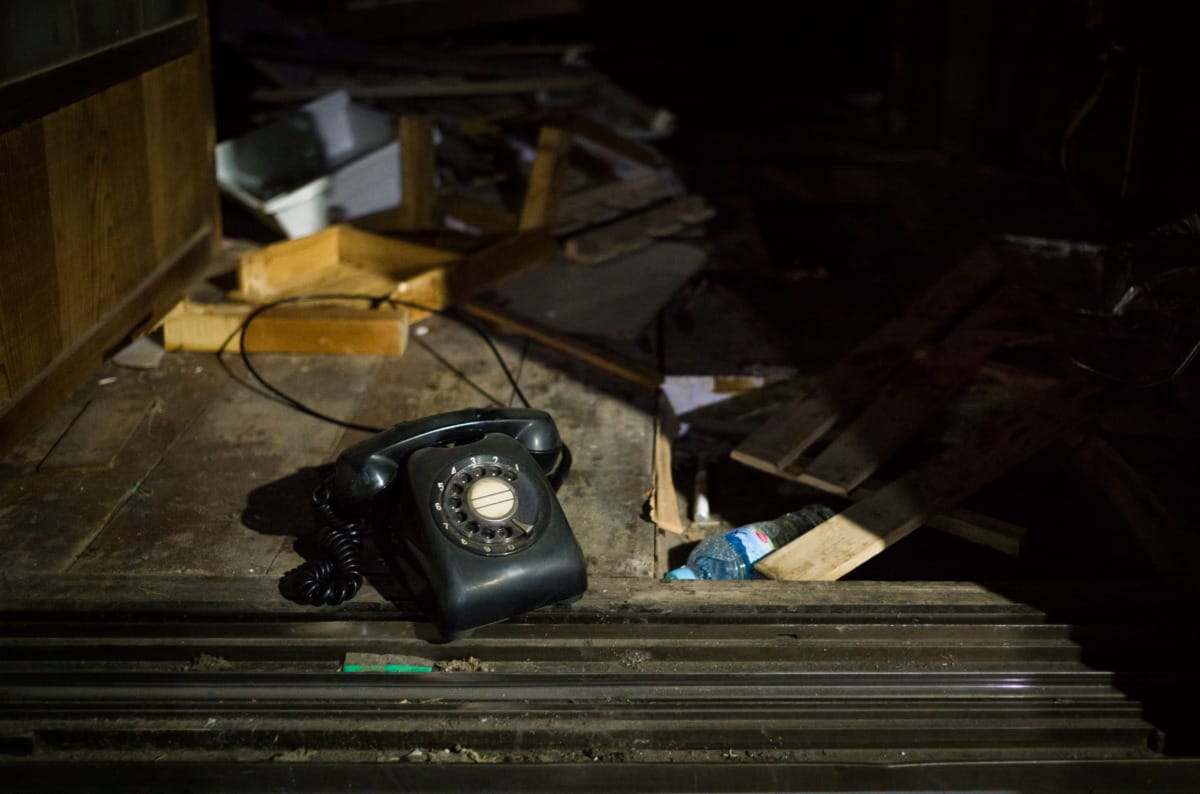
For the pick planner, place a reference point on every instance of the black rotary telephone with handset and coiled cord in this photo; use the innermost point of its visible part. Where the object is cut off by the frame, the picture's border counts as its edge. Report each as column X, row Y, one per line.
column 471, row 497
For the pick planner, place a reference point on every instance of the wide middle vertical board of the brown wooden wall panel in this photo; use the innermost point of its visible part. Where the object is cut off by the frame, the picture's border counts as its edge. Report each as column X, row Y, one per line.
column 99, row 181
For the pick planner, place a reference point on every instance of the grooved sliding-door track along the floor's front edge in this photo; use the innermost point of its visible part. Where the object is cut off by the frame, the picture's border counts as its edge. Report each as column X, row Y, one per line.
column 932, row 697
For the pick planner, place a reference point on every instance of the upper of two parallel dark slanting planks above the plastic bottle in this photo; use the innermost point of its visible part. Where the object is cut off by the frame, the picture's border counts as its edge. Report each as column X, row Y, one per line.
column 854, row 381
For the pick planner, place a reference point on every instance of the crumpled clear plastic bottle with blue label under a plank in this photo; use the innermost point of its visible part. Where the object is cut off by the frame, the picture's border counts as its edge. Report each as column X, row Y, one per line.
column 733, row 555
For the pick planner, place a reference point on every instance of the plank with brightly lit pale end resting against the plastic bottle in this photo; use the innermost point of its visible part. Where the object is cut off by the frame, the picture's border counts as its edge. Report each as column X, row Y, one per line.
column 865, row 530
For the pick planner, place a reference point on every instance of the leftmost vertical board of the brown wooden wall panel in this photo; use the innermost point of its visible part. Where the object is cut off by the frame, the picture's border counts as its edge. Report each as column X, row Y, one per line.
column 29, row 304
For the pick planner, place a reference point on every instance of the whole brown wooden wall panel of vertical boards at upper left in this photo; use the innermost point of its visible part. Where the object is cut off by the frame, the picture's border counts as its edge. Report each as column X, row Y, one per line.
column 107, row 207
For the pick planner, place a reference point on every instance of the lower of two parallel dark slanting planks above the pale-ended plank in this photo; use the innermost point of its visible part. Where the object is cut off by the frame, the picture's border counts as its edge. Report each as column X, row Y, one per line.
column 899, row 411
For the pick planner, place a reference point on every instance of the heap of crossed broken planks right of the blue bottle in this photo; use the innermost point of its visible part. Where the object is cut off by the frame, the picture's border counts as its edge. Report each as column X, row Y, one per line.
column 877, row 399
